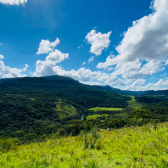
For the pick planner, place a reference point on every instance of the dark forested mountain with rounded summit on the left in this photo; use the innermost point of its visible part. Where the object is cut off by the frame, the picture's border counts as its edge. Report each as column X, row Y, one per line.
column 31, row 103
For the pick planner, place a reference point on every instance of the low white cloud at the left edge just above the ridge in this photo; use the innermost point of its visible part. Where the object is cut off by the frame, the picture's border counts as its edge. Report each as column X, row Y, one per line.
column 8, row 72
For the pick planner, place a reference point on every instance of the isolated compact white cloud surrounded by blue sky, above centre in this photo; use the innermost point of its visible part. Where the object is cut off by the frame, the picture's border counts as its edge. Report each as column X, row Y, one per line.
column 98, row 41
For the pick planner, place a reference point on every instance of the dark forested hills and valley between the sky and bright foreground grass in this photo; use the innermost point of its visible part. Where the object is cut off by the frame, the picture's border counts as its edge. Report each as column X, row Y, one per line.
column 33, row 107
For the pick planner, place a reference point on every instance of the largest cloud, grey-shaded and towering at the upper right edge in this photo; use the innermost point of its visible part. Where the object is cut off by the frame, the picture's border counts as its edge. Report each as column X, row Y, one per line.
column 144, row 48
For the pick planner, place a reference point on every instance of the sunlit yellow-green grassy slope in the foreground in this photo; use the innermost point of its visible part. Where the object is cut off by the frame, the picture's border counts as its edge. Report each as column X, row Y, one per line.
column 145, row 146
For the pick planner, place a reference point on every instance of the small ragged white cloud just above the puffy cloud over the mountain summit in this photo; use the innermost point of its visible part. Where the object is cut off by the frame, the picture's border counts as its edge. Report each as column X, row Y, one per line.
column 46, row 46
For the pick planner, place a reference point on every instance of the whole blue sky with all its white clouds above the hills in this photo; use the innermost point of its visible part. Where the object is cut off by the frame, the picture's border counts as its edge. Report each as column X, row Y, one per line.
column 123, row 44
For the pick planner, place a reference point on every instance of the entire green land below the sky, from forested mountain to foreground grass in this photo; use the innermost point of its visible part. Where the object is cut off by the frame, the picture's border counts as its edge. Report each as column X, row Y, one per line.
column 58, row 122
